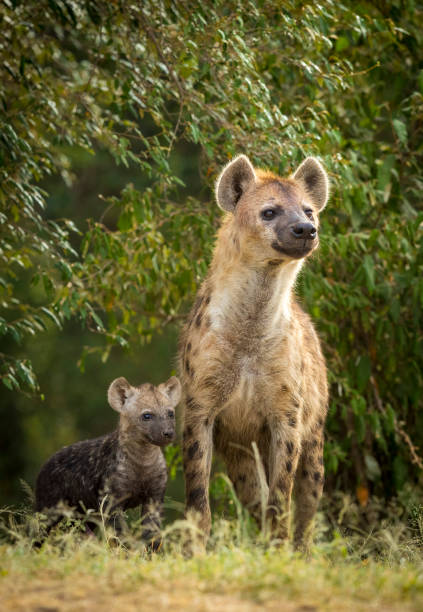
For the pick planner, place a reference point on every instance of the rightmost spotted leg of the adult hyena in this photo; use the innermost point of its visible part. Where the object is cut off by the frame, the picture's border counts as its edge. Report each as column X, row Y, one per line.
column 308, row 489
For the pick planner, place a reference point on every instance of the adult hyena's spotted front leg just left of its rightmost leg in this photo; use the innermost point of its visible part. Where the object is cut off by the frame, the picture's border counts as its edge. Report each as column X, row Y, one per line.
column 283, row 461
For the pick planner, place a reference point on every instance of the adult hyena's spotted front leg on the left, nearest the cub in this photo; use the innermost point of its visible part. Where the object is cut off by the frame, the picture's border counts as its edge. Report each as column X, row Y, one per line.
column 197, row 455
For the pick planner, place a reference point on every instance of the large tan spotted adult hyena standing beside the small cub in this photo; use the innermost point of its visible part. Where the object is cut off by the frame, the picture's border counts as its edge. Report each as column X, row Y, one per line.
column 251, row 366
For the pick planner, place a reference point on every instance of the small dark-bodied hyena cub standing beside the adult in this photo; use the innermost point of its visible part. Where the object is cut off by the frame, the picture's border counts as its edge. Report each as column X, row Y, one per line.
column 125, row 468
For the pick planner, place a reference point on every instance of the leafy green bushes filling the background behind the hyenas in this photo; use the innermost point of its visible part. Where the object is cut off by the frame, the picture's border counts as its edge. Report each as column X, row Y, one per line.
column 277, row 81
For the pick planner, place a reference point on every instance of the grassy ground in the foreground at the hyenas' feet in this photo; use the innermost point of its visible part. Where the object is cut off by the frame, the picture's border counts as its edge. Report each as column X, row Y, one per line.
column 382, row 571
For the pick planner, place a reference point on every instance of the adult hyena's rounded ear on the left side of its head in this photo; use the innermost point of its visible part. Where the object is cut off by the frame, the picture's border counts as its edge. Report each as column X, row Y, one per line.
column 233, row 181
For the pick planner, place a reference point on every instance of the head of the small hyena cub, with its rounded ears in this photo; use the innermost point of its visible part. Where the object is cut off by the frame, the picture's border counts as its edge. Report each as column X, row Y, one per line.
column 147, row 412
